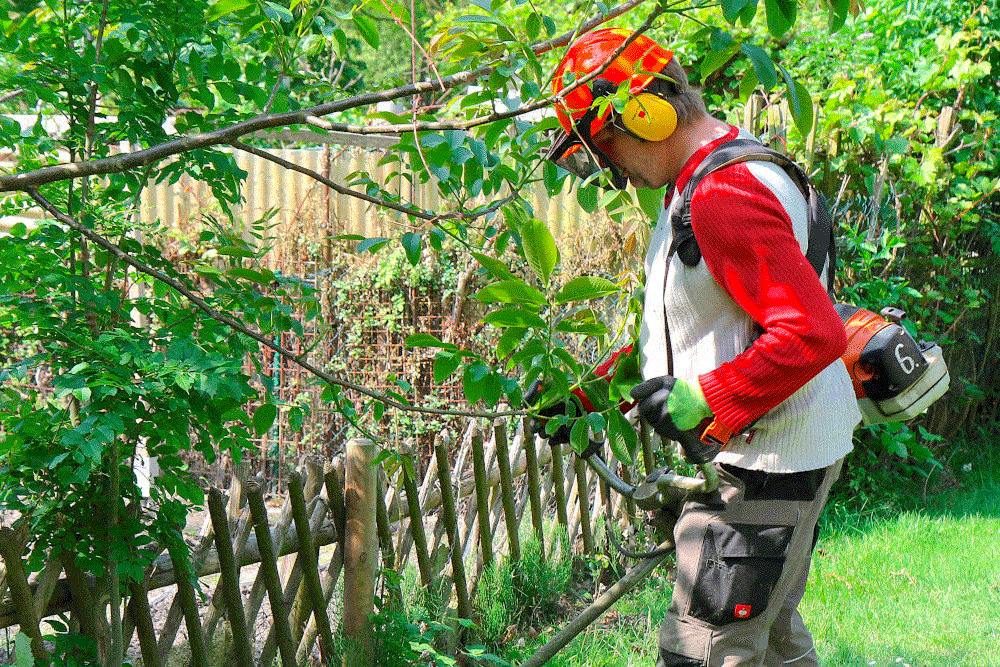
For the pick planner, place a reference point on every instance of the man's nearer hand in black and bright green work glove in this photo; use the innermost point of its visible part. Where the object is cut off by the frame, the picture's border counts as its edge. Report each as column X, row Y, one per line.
column 676, row 410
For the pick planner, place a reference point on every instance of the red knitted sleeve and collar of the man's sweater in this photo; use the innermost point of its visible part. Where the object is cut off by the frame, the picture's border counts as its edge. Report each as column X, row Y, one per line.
column 760, row 265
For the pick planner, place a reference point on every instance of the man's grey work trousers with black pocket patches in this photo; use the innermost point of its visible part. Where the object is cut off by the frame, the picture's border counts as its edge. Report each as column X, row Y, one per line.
column 743, row 556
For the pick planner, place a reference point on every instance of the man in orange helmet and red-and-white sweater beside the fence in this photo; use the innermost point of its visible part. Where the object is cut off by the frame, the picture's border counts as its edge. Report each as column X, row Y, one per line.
column 743, row 345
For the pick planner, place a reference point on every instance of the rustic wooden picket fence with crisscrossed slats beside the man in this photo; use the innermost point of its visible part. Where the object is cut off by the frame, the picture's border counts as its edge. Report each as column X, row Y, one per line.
column 343, row 517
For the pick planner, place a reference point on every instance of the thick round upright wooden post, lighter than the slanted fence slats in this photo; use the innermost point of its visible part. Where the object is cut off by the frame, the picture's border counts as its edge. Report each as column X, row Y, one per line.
column 360, row 551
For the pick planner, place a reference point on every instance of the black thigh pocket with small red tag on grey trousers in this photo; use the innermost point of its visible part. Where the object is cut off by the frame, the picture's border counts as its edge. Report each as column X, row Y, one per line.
column 740, row 566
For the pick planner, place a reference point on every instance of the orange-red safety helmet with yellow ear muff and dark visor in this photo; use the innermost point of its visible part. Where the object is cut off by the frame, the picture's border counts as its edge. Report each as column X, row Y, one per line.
column 580, row 119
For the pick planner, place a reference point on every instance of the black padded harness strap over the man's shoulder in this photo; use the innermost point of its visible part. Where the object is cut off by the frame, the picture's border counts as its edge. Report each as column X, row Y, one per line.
column 821, row 244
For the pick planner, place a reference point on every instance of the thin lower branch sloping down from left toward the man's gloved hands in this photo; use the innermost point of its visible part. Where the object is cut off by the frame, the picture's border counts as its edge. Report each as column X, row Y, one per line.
column 232, row 323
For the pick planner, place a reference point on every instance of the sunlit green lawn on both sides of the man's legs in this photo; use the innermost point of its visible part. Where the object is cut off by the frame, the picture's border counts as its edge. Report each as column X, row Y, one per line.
column 916, row 588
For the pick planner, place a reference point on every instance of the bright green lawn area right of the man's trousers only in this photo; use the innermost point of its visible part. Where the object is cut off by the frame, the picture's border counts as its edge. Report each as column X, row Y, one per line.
column 919, row 588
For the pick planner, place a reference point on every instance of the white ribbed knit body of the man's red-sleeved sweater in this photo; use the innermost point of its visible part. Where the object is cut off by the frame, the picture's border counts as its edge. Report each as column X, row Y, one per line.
column 810, row 429
